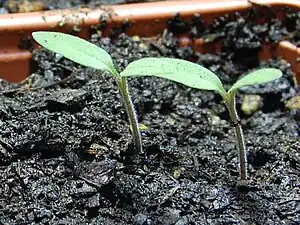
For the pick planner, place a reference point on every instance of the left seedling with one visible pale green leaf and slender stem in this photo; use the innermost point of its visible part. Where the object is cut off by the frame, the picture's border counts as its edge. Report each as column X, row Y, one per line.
column 90, row 55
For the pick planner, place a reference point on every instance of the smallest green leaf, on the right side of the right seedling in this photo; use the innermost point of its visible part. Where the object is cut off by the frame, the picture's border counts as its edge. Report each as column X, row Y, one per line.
column 257, row 77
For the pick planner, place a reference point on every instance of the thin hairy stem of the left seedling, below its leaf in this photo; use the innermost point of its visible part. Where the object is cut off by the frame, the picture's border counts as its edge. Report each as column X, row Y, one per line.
column 131, row 114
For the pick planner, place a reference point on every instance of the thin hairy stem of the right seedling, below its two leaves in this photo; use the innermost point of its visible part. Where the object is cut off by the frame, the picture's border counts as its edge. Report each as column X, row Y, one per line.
column 239, row 137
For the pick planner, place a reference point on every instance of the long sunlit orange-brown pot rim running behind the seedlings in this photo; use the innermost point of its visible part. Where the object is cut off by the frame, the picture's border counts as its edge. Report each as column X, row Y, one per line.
column 138, row 11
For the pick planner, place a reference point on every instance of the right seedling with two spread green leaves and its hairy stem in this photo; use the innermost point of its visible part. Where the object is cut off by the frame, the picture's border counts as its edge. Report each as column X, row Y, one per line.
column 196, row 76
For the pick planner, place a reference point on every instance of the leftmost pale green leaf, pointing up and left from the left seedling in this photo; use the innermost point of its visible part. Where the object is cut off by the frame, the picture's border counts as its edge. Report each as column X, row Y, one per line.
column 76, row 49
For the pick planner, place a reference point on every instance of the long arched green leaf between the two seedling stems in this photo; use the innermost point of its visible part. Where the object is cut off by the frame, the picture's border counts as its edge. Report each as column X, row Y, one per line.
column 178, row 70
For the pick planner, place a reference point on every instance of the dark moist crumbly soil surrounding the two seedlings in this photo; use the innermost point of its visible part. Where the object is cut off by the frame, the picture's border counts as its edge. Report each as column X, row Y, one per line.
column 67, row 155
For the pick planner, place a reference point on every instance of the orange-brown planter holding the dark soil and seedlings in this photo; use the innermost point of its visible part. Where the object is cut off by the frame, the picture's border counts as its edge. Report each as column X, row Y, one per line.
column 15, row 29
